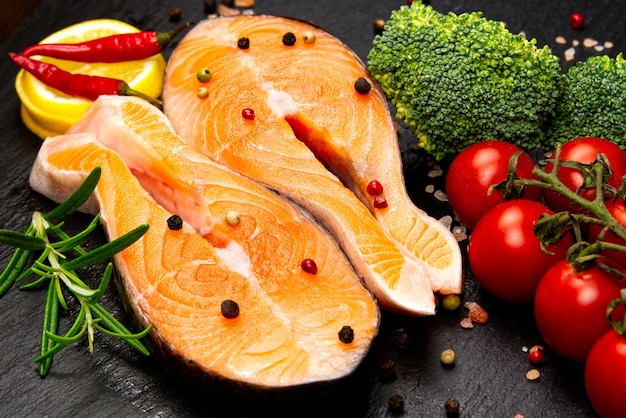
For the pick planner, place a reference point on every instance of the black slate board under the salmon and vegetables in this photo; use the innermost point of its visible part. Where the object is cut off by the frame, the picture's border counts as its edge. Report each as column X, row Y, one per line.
column 489, row 376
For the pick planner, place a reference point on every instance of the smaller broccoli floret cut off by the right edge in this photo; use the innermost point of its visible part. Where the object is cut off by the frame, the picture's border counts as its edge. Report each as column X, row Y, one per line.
column 593, row 101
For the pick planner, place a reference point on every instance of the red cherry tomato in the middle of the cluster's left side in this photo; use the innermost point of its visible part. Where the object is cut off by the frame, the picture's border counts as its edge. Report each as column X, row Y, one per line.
column 504, row 253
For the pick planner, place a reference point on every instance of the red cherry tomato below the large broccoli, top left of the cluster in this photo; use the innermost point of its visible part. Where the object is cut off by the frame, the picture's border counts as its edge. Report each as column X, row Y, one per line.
column 478, row 167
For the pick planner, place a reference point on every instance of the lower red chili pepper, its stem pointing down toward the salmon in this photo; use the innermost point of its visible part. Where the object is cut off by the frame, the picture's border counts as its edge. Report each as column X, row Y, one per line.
column 81, row 85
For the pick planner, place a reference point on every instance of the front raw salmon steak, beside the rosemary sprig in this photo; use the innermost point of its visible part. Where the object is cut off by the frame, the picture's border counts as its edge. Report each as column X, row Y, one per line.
column 226, row 290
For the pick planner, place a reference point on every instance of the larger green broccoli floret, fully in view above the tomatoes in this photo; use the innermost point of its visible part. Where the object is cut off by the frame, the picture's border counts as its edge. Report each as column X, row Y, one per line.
column 460, row 79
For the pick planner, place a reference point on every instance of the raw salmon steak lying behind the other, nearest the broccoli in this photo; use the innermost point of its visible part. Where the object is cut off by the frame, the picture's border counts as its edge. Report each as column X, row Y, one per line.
column 288, row 105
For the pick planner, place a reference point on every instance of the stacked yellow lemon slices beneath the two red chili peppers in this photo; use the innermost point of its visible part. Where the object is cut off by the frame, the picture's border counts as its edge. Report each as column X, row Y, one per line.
column 48, row 112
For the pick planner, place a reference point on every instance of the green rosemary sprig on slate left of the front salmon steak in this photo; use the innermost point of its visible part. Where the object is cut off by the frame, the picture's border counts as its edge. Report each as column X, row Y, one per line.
column 58, row 257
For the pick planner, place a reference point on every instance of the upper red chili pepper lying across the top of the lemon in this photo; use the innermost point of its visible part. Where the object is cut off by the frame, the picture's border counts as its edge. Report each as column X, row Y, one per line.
column 114, row 48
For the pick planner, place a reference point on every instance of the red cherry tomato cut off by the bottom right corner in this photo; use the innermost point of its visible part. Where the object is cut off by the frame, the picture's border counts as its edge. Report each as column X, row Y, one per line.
column 604, row 375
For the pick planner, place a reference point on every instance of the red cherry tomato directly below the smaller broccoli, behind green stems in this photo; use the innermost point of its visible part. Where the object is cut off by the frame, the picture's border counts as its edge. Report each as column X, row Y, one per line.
column 584, row 151
